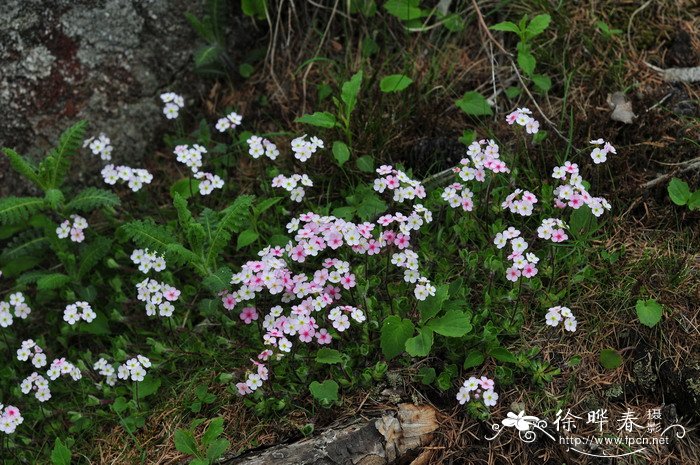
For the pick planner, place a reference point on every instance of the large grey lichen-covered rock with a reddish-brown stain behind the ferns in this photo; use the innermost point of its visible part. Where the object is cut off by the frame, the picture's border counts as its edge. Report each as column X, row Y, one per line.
column 101, row 60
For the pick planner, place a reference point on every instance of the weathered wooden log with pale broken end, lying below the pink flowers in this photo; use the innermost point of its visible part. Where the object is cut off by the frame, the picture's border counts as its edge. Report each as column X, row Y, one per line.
column 380, row 441
